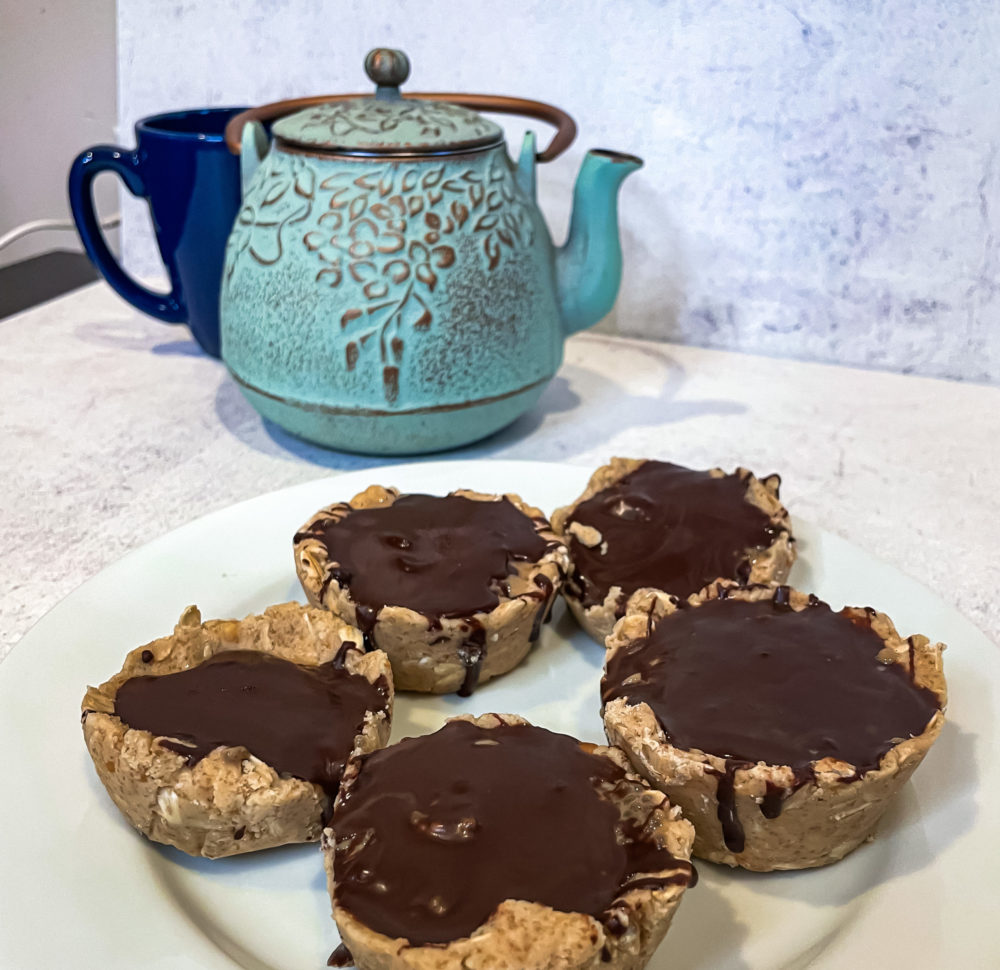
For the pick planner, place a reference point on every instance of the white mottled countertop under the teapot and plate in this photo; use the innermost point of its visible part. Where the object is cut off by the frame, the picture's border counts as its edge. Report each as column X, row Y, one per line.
column 115, row 429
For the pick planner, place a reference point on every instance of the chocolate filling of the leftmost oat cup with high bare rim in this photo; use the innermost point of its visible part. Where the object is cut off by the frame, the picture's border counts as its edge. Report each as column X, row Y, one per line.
column 300, row 720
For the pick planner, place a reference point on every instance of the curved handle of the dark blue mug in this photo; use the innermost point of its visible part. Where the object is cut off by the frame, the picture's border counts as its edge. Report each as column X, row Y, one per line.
column 126, row 165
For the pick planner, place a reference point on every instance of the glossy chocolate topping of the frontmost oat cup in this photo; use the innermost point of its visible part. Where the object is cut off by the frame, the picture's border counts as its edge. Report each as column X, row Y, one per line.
column 437, row 831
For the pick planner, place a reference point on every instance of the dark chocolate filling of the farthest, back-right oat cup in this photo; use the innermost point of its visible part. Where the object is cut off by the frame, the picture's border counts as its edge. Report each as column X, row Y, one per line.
column 666, row 527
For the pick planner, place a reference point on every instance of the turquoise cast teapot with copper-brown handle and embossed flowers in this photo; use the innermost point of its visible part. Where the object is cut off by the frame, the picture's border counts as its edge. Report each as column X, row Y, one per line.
column 390, row 286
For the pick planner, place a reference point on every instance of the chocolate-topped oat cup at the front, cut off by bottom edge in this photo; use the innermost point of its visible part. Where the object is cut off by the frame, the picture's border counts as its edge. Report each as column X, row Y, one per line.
column 495, row 844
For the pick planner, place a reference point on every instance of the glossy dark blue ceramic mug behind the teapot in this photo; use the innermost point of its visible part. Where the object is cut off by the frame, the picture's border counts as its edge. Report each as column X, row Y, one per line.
column 191, row 180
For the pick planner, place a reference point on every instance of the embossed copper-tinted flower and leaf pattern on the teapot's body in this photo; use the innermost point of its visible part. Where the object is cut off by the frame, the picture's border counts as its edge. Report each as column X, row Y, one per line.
column 386, row 232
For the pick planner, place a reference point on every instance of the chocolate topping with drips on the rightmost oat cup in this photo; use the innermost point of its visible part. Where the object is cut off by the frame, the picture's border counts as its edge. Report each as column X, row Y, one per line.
column 753, row 682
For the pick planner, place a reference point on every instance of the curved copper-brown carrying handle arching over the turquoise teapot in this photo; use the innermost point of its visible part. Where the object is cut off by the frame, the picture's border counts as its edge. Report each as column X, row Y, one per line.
column 498, row 104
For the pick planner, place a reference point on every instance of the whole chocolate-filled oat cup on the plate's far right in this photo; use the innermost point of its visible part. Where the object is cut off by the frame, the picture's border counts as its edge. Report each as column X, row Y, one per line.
column 781, row 728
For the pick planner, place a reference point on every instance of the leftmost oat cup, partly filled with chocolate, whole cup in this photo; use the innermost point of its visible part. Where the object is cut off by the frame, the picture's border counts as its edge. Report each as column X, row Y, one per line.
column 232, row 735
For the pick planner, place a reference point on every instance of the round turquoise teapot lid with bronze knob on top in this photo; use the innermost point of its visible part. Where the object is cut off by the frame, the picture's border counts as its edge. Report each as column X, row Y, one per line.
column 387, row 123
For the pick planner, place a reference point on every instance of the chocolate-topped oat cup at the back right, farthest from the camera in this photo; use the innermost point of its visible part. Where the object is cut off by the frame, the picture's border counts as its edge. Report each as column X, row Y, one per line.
column 643, row 524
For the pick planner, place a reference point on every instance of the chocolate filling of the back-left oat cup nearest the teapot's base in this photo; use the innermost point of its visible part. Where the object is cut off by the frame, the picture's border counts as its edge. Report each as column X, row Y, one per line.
column 437, row 556
